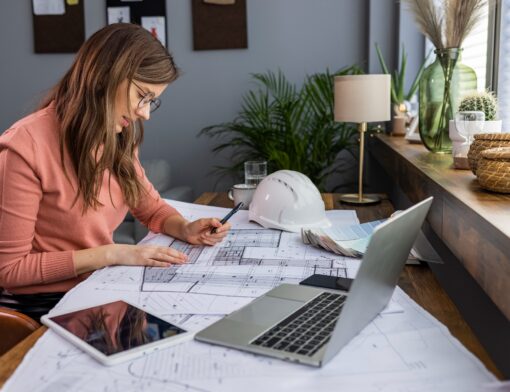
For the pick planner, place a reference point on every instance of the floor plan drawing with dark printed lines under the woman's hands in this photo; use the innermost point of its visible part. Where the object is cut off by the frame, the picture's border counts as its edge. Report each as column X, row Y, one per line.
column 232, row 269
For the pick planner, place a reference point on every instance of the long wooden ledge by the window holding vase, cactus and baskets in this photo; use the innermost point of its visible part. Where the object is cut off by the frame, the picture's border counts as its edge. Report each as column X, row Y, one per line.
column 473, row 223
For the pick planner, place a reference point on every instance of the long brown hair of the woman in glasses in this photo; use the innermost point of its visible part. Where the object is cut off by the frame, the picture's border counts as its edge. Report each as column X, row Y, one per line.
column 84, row 101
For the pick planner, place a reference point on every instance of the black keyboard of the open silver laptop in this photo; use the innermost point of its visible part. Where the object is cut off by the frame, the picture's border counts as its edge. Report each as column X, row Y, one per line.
column 307, row 329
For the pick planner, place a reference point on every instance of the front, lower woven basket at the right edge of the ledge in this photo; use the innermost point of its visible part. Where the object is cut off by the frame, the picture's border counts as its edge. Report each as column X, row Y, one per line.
column 493, row 169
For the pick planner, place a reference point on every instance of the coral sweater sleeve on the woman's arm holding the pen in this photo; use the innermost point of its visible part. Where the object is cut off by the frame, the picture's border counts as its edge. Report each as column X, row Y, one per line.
column 152, row 210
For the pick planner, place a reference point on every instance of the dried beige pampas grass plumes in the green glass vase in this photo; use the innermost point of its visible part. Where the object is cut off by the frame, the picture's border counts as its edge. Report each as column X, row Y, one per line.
column 448, row 23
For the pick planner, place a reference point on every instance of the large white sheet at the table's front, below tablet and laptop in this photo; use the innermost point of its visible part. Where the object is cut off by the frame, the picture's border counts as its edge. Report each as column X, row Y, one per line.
column 409, row 351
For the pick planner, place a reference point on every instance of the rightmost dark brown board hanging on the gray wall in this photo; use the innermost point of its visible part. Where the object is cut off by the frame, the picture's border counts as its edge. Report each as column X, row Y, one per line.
column 219, row 26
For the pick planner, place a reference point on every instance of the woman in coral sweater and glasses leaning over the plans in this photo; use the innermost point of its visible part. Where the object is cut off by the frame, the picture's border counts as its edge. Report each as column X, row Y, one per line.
column 70, row 172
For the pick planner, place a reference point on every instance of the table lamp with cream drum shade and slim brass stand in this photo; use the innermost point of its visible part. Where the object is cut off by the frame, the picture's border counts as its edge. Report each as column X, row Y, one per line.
column 362, row 99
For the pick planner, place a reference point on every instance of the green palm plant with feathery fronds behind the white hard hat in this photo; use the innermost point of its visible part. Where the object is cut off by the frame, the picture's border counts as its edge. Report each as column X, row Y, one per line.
column 289, row 127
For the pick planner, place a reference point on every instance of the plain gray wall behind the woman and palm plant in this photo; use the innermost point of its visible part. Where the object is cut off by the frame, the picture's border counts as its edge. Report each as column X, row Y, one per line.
column 297, row 36
